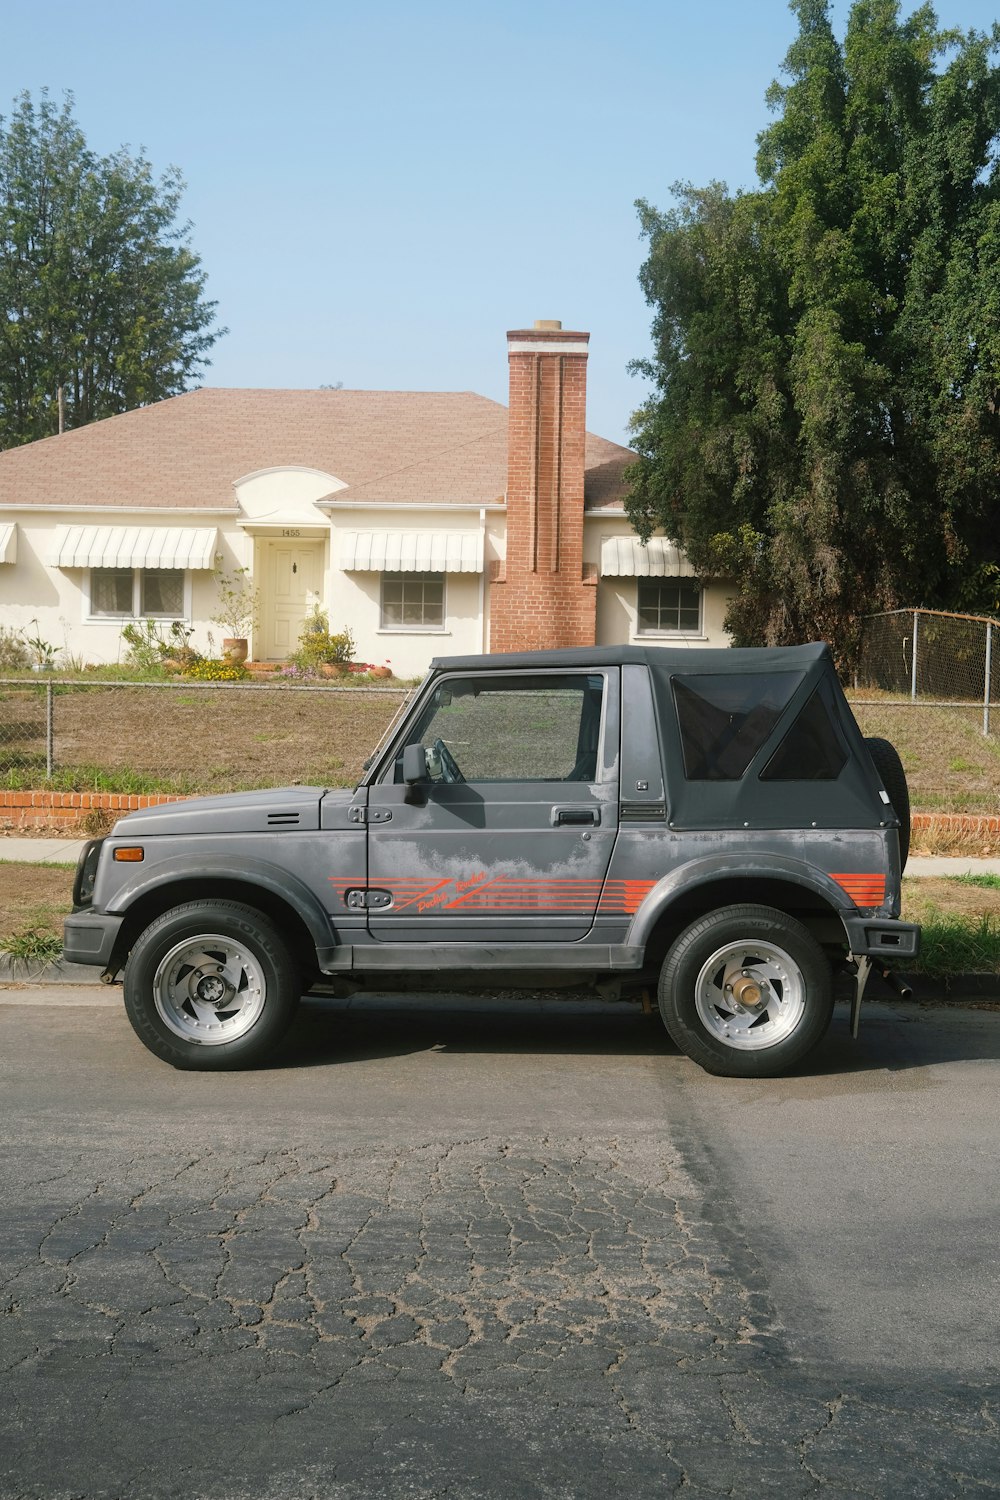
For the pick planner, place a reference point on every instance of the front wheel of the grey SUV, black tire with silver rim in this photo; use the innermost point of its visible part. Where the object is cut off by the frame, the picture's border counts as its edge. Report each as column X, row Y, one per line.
column 211, row 986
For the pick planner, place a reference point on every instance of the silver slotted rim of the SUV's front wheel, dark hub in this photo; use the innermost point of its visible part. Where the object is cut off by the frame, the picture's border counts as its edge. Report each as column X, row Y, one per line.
column 209, row 989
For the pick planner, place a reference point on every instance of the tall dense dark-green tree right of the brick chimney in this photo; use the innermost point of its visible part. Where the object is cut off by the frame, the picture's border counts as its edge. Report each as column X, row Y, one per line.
column 825, row 421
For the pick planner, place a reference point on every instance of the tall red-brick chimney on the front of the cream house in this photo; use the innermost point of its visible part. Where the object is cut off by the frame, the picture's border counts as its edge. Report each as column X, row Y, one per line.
column 539, row 598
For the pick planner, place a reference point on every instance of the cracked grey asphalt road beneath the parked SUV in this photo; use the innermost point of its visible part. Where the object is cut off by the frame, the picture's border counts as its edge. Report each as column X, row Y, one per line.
column 439, row 1253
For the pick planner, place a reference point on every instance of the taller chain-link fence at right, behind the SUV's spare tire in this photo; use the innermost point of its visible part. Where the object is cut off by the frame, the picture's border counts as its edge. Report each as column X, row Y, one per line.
column 935, row 659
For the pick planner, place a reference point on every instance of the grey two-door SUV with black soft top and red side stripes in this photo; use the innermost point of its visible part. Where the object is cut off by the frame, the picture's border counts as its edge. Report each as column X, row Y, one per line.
column 708, row 824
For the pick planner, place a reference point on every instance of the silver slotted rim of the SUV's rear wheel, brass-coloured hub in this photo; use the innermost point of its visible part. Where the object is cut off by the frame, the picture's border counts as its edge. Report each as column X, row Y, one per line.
column 782, row 995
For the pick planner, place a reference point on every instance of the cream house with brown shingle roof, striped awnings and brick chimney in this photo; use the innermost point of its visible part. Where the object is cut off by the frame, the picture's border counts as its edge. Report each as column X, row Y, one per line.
column 428, row 523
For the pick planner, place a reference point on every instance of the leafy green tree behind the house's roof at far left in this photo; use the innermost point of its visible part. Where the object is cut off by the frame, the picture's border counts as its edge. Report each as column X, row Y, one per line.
column 100, row 290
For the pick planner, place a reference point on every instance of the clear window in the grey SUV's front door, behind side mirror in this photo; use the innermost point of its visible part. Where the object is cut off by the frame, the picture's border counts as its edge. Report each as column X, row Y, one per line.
column 512, row 730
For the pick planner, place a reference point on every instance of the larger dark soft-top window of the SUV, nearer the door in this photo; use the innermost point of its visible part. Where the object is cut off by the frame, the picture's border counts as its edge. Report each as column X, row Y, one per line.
column 725, row 719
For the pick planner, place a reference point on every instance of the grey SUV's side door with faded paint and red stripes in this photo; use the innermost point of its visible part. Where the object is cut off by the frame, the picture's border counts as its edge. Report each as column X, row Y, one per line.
column 510, row 838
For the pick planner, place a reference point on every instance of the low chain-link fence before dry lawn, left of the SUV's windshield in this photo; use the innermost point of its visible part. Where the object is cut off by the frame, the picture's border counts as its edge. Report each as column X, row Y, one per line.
column 188, row 737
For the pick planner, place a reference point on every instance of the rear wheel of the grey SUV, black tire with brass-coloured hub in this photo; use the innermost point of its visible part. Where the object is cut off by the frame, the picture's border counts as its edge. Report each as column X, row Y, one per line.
column 761, row 949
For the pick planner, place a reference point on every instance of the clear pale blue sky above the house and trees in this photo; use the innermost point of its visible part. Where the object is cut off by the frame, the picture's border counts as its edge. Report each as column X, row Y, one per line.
column 379, row 191
